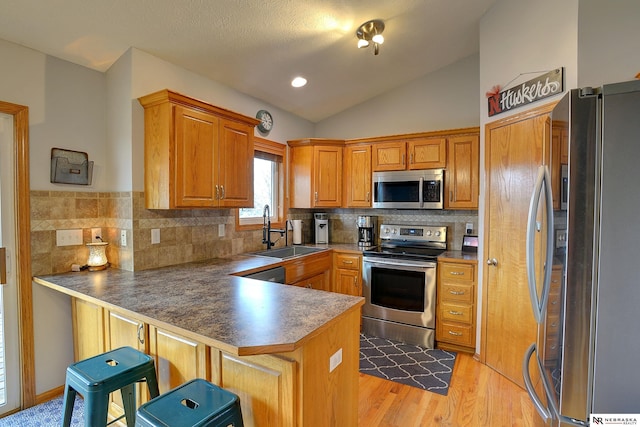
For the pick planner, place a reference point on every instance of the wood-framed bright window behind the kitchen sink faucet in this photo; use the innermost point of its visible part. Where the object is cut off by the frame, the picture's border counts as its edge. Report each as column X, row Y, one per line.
column 268, row 186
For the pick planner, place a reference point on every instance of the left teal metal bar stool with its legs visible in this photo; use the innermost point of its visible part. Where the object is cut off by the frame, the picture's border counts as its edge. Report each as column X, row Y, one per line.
column 94, row 378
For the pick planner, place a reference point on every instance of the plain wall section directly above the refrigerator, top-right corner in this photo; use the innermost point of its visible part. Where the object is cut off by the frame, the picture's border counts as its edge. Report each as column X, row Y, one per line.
column 608, row 36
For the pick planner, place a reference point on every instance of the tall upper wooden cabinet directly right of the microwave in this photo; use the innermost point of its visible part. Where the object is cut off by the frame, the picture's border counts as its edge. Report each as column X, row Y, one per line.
column 462, row 177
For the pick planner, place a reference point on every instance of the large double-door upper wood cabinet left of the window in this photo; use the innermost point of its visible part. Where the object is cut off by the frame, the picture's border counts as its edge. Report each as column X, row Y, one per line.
column 196, row 155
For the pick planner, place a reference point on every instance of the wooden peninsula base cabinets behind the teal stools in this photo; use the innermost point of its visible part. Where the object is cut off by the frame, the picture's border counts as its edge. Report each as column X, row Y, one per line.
column 287, row 389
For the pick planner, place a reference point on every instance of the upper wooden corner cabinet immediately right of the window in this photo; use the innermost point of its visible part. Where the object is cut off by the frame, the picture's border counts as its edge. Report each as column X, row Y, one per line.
column 315, row 173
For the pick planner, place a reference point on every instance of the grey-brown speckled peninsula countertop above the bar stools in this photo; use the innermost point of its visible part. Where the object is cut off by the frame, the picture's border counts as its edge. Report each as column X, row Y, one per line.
column 203, row 301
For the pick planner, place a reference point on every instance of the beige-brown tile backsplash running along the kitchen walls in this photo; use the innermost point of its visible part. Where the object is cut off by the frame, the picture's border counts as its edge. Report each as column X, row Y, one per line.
column 185, row 235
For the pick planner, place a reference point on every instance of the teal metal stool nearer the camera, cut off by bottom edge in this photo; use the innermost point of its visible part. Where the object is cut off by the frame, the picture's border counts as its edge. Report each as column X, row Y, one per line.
column 196, row 403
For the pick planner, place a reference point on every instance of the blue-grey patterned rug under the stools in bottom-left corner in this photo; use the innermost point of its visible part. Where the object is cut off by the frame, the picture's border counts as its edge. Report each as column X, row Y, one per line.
column 47, row 414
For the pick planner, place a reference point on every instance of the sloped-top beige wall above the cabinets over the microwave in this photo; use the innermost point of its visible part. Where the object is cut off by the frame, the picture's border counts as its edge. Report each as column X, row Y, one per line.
column 444, row 99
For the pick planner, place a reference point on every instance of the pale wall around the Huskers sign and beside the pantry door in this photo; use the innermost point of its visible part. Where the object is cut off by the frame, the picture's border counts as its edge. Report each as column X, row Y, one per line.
column 516, row 37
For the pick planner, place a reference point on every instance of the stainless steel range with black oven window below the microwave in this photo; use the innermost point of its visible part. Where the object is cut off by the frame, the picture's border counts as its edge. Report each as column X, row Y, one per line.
column 399, row 283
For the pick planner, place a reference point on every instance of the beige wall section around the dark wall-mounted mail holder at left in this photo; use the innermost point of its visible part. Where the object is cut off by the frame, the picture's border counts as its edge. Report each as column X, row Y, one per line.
column 66, row 110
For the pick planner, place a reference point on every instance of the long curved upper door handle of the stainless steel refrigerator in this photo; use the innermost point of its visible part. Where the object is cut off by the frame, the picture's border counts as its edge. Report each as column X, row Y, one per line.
column 539, row 304
